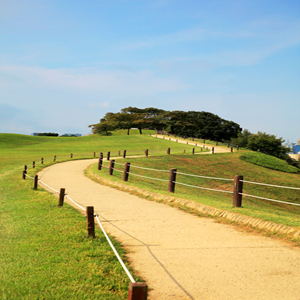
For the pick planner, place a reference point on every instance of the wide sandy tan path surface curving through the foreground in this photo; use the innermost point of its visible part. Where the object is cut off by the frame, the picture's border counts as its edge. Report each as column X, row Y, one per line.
column 182, row 256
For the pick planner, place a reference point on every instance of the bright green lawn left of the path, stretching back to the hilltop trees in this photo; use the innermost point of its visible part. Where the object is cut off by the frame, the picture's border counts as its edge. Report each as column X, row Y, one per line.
column 44, row 252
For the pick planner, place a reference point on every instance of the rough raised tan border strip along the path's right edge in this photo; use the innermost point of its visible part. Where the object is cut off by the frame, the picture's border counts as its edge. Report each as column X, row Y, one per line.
column 263, row 227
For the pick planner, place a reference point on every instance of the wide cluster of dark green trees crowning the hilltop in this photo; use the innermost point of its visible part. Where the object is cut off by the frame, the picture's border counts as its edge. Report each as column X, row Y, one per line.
column 192, row 123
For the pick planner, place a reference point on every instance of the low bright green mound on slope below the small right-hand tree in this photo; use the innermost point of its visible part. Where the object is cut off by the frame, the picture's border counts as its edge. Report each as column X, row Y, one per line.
column 268, row 161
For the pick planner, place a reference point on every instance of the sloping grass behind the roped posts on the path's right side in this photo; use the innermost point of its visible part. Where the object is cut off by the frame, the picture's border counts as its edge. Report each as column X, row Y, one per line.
column 225, row 165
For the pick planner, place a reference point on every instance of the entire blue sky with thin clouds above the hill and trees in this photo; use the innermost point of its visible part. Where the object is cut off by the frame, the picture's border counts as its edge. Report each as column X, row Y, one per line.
column 65, row 63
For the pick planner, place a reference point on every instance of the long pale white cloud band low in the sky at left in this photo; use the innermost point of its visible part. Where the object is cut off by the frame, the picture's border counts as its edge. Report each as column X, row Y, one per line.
column 116, row 83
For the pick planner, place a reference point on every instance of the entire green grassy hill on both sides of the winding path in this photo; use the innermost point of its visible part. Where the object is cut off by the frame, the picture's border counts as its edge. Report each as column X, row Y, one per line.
column 44, row 251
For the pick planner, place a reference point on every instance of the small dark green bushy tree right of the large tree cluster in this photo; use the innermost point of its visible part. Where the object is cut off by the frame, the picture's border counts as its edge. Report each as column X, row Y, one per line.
column 268, row 144
